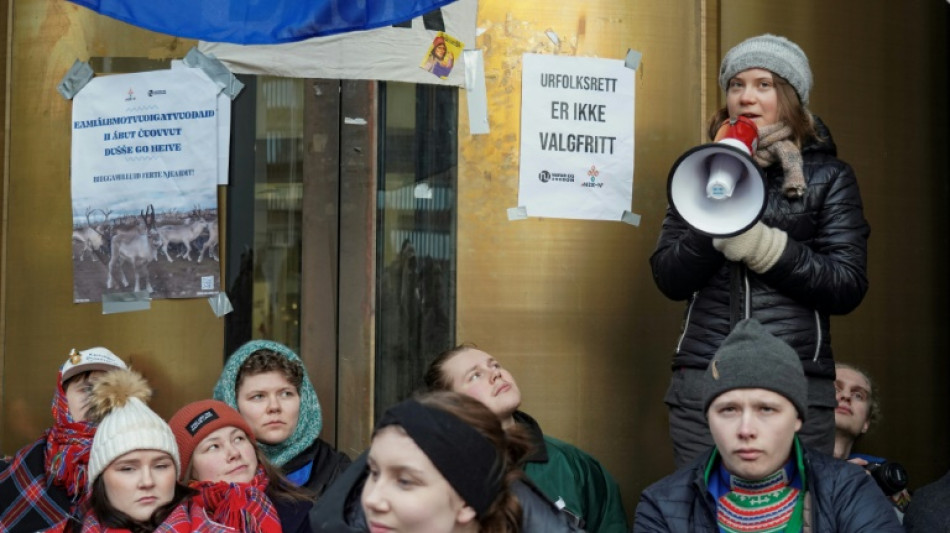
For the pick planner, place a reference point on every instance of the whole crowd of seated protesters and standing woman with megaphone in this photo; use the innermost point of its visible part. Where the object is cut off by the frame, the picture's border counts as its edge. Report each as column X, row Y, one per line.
column 762, row 419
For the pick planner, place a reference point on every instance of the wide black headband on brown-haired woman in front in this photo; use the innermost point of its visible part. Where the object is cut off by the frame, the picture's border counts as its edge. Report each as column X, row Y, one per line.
column 465, row 458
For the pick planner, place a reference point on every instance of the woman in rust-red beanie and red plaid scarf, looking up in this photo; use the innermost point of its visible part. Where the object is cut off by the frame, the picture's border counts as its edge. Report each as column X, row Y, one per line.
column 237, row 485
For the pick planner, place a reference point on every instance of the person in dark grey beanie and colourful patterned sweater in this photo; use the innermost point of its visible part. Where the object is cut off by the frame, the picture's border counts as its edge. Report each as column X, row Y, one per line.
column 758, row 476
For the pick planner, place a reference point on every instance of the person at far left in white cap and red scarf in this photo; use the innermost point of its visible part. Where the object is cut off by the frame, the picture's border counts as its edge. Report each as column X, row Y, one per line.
column 45, row 482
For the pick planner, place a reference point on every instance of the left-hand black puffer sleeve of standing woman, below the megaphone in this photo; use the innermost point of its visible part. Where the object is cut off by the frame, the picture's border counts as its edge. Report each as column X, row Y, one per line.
column 683, row 260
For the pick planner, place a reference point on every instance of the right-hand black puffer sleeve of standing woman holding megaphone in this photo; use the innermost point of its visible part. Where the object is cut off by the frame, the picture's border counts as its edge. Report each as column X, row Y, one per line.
column 829, row 273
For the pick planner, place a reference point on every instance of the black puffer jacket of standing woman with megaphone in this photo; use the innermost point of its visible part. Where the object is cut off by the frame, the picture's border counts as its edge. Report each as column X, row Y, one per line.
column 822, row 272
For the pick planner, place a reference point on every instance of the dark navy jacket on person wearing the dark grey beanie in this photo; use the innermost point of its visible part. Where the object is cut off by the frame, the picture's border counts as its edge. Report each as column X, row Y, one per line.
column 841, row 498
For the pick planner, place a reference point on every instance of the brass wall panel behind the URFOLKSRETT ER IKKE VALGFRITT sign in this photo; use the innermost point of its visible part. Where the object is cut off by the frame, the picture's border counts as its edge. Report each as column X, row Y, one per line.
column 569, row 306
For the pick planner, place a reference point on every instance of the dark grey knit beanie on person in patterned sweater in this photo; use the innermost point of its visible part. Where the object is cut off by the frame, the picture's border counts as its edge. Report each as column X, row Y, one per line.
column 753, row 358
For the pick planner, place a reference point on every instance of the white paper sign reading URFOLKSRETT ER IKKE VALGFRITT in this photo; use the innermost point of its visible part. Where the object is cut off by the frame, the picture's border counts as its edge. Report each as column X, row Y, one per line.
column 576, row 137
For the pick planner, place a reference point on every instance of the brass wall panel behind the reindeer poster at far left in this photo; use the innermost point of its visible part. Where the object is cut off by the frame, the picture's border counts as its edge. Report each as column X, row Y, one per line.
column 178, row 343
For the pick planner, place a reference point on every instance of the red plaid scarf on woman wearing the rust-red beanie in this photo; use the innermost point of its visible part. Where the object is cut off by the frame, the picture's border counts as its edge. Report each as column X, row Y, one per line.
column 242, row 506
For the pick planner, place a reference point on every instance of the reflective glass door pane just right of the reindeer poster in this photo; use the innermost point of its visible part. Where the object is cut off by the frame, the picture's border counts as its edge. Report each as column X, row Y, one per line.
column 266, row 290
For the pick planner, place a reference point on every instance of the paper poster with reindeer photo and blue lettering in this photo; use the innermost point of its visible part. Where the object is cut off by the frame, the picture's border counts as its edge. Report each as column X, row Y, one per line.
column 144, row 176
